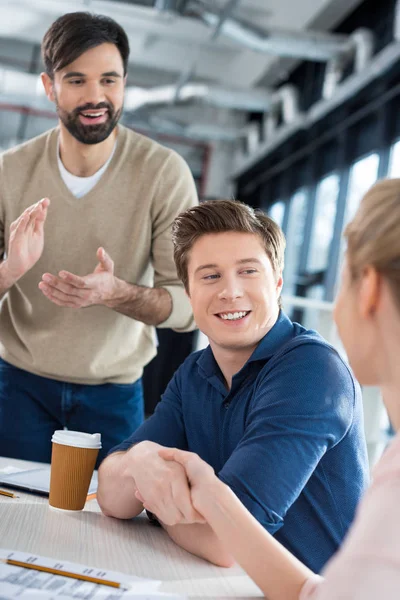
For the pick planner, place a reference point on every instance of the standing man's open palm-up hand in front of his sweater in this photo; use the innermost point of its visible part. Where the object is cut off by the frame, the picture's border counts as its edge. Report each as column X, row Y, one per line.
column 78, row 292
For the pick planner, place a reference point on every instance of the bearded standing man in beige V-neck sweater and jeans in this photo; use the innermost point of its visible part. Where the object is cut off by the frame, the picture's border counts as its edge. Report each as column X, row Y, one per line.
column 100, row 240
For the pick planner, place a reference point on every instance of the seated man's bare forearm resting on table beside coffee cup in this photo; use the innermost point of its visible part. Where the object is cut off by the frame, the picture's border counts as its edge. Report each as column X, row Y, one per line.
column 116, row 488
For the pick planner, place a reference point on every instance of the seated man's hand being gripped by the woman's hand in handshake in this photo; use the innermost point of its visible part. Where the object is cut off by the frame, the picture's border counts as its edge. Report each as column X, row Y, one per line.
column 162, row 485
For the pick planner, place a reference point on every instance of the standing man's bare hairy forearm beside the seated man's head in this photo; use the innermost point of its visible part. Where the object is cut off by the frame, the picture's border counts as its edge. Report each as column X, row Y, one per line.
column 149, row 305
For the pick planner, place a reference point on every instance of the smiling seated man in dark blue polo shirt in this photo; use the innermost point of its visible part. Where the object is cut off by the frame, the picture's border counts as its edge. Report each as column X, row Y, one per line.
column 269, row 405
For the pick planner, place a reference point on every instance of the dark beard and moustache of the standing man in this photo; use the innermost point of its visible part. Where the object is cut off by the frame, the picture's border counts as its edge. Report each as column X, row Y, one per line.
column 89, row 134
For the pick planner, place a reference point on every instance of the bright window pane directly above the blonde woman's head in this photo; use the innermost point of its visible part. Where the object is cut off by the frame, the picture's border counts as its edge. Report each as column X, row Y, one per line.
column 363, row 174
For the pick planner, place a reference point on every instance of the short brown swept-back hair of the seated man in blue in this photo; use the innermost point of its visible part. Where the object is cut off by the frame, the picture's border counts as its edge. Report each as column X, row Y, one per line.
column 222, row 216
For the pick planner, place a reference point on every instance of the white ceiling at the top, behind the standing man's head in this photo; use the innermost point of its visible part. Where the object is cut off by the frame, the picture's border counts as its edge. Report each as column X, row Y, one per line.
column 163, row 45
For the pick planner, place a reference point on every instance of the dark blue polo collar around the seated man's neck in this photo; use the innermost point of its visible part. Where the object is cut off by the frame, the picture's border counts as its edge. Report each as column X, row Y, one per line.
column 277, row 337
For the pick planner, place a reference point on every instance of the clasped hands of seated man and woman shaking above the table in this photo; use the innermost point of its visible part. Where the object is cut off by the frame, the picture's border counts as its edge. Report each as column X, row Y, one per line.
column 172, row 484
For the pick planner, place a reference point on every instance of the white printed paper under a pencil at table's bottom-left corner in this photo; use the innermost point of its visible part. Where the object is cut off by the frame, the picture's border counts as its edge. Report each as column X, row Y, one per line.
column 31, row 584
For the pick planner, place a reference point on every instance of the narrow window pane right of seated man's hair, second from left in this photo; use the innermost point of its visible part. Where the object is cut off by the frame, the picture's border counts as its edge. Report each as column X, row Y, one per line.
column 294, row 239
